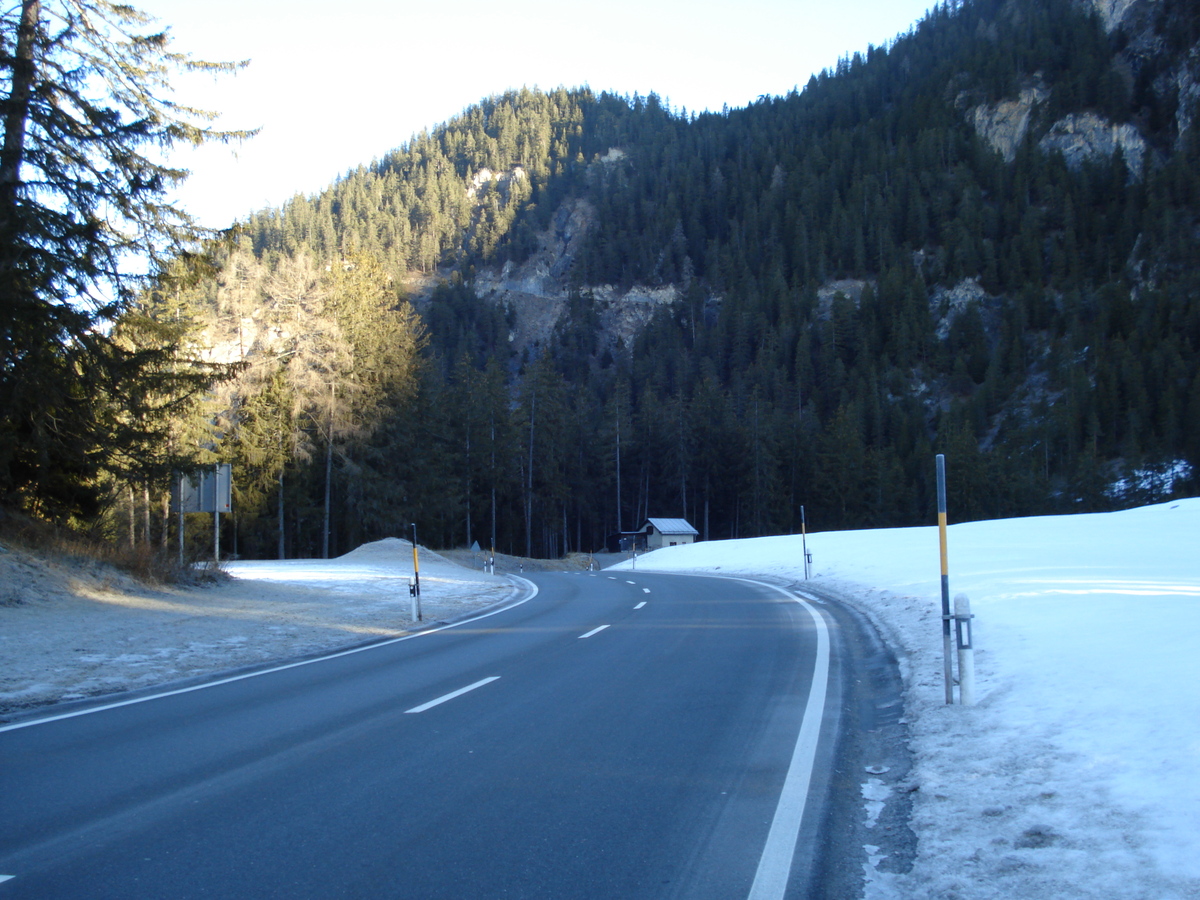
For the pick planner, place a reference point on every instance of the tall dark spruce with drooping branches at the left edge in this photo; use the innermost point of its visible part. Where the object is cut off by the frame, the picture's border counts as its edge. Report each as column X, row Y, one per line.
column 88, row 116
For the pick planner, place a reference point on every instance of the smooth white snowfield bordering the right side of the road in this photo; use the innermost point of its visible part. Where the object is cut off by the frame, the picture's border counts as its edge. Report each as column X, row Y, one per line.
column 1076, row 773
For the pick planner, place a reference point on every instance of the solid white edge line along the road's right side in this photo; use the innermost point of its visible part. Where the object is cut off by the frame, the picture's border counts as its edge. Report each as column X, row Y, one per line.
column 776, row 866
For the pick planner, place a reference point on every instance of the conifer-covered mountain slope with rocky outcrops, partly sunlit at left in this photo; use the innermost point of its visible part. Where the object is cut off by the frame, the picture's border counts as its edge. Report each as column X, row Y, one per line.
column 981, row 241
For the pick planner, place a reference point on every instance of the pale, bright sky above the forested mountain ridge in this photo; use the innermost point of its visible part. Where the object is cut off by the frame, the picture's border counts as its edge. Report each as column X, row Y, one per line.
column 338, row 85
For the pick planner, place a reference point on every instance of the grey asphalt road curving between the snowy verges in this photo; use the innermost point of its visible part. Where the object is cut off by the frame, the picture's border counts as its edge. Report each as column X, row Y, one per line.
column 616, row 736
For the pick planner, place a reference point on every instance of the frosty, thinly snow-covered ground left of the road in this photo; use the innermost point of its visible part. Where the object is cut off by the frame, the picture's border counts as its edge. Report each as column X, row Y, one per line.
column 70, row 633
